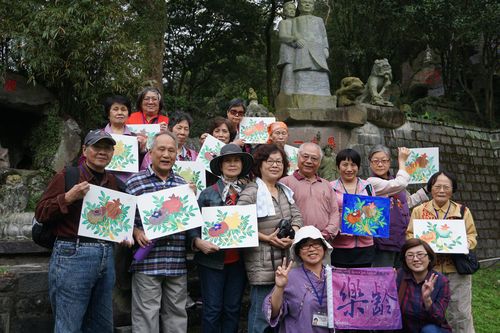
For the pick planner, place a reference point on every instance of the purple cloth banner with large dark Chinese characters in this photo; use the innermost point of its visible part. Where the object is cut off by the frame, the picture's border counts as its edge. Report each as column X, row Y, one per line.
column 363, row 299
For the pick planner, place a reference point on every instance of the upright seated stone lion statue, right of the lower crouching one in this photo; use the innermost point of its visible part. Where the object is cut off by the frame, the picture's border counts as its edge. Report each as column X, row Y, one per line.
column 379, row 80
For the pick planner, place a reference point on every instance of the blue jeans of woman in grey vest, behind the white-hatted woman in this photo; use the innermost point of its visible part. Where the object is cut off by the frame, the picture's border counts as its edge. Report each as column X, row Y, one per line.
column 257, row 322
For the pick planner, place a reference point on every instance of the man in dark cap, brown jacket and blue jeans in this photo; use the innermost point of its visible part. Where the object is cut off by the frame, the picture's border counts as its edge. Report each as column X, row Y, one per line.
column 81, row 270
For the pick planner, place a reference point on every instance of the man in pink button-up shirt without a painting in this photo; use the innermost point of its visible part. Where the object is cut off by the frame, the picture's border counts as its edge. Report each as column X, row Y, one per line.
column 312, row 194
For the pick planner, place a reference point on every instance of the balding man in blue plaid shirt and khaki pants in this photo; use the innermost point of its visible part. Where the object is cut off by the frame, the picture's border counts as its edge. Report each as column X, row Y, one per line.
column 159, row 282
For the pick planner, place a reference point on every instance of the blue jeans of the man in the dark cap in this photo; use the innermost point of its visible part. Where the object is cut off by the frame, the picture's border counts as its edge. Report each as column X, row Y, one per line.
column 81, row 280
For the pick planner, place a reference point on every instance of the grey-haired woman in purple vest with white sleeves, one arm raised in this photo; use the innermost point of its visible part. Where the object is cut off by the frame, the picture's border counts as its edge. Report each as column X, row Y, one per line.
column 387, row 249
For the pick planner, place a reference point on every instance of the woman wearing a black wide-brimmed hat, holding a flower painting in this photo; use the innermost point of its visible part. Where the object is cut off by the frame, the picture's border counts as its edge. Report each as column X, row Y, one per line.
column 222, row 272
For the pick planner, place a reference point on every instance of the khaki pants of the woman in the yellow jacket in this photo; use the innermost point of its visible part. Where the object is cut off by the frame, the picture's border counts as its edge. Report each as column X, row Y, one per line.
column 459, row 312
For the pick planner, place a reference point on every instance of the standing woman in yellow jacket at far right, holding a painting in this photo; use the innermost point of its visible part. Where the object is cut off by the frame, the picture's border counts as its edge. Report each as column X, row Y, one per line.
column 442, row 185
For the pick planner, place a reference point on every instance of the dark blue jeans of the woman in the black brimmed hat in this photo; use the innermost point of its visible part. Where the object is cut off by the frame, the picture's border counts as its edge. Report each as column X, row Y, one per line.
column 222, row 291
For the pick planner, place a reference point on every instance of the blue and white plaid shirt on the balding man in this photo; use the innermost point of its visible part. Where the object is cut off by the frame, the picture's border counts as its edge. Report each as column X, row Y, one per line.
column 168, row 256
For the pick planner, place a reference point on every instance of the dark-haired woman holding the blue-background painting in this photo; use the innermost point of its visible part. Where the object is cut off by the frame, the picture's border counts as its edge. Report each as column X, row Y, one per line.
column 348, row 250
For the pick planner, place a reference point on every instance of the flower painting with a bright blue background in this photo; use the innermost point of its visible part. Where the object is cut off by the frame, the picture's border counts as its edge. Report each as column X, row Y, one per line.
column 365, row 215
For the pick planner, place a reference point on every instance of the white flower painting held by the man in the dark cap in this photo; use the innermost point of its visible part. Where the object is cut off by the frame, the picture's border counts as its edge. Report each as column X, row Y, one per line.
column 107, row 214
